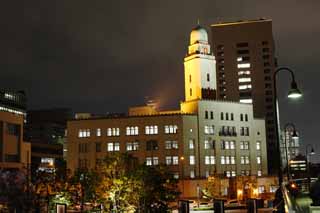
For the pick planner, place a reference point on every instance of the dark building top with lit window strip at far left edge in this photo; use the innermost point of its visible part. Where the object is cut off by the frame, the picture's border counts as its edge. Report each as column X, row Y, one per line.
column 13, row 101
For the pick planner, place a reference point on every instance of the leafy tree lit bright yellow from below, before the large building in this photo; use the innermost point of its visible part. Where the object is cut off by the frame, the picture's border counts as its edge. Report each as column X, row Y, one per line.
column 118, row 186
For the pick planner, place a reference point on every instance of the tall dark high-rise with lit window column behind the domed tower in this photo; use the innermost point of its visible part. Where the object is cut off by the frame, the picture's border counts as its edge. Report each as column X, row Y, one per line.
column 245, row 65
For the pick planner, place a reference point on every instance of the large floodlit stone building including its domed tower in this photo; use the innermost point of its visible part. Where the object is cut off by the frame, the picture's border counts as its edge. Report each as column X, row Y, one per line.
column 205, row 137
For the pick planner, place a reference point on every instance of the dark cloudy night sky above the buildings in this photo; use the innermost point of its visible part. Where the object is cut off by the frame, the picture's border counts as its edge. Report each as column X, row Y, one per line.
column 103, row 56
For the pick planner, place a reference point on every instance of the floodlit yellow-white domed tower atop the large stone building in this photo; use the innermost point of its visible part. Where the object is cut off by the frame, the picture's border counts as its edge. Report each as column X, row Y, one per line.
column 199, row 67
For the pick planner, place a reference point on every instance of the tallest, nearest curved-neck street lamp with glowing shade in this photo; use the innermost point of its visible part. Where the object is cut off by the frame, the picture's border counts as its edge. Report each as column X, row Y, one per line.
column 293, row 93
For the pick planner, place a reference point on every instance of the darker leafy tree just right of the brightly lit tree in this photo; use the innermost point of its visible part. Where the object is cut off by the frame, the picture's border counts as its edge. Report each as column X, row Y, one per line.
column 159, row 188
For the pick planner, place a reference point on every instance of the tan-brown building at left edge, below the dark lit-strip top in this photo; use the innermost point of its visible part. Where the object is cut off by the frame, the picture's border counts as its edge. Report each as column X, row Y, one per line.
column 15, row 154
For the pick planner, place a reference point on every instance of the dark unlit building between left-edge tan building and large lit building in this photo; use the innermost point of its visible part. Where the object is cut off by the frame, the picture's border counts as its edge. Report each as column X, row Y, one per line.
column 45, row 130
